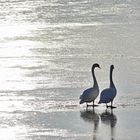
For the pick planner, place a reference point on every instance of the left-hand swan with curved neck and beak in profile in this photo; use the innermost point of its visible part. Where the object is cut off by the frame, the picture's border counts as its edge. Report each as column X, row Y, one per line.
column 90, row 94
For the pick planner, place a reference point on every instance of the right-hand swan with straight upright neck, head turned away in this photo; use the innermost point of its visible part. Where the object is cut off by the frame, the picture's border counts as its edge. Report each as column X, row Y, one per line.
column 108, row 94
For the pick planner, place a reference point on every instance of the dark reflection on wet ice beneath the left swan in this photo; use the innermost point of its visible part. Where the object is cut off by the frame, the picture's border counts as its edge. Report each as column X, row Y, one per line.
column 92, row 117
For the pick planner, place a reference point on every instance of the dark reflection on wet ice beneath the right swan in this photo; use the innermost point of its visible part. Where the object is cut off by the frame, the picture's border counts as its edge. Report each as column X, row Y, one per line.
column 110, row 119
